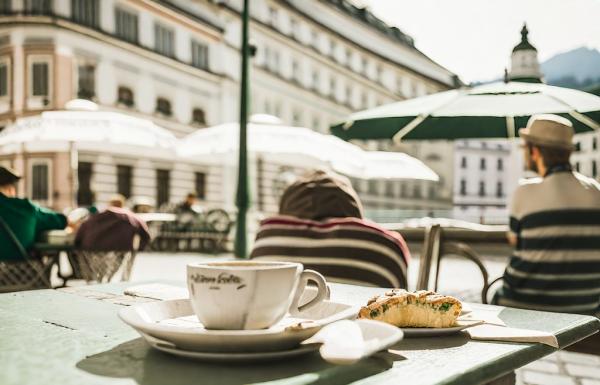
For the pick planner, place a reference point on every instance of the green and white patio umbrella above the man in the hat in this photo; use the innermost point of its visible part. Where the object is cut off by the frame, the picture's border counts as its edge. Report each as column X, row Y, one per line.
column 495, row 110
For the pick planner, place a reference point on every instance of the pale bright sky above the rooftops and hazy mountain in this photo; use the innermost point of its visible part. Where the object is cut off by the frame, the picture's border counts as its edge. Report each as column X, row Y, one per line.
column 474, row 38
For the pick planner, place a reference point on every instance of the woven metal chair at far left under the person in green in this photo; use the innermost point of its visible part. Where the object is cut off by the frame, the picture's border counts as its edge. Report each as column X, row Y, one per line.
column 25, row 273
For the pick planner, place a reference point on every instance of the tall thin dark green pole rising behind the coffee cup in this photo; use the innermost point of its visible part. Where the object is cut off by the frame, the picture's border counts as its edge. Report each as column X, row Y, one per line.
column 242, row 196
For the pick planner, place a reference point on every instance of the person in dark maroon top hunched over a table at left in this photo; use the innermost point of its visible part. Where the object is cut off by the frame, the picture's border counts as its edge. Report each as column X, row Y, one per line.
column 114, row 229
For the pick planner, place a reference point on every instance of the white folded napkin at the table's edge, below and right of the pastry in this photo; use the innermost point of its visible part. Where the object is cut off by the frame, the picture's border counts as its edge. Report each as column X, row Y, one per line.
column 502, row 333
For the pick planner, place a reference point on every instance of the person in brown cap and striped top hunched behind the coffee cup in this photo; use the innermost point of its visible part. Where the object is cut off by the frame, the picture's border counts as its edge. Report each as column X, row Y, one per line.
column 320, row 224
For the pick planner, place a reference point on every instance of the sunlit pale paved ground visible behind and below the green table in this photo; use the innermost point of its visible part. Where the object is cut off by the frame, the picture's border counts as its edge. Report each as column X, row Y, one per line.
column 458, row 276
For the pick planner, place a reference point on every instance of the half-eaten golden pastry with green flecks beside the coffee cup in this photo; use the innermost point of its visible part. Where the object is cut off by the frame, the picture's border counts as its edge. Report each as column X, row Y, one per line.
column 422, row 309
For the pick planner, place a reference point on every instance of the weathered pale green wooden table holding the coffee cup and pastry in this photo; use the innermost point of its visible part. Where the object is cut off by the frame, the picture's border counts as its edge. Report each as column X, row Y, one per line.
column 73, row 336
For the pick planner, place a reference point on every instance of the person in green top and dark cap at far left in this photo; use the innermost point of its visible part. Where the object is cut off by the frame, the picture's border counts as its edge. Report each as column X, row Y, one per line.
column 26, row 219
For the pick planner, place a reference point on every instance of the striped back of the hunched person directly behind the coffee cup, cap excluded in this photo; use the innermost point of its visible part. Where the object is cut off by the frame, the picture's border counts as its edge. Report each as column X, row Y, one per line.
column 348, row 250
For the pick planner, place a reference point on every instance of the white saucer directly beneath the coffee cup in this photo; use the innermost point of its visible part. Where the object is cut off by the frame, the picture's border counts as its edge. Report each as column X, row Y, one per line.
column 174, row 322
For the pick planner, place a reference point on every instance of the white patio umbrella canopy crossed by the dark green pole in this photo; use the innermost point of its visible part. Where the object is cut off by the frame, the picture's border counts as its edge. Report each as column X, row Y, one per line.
column 267, row 136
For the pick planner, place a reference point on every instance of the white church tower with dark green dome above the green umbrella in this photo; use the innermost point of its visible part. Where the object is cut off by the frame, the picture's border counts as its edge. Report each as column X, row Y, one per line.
column 525, row 66
